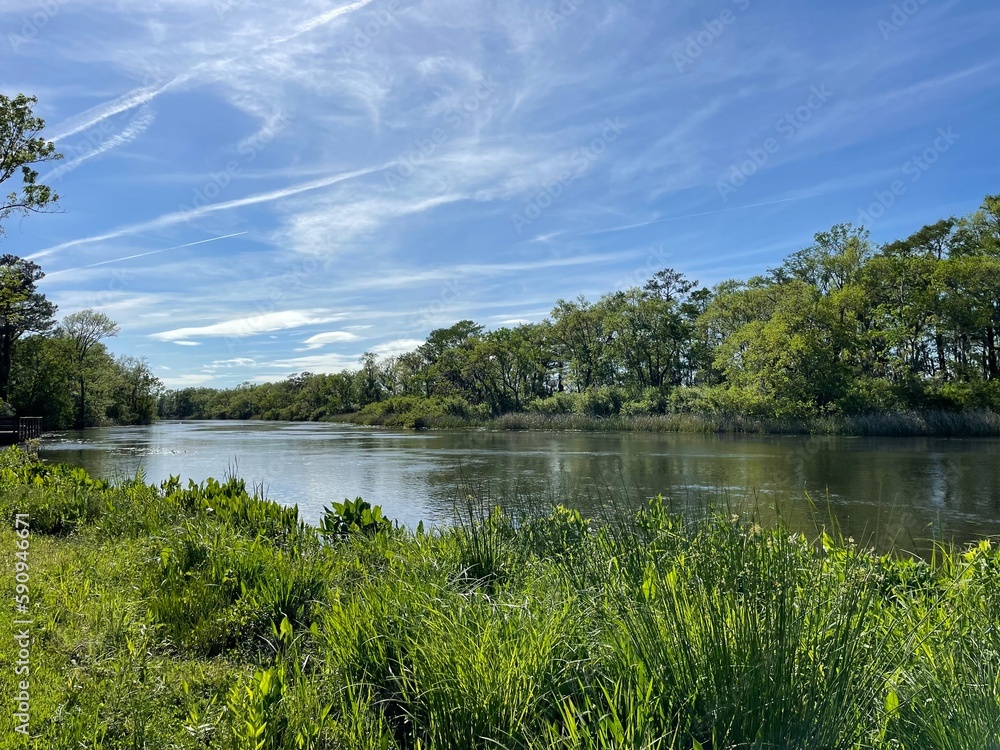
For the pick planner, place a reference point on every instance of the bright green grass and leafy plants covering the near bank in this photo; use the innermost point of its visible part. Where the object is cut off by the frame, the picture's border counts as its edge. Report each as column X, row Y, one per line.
column 209, row 617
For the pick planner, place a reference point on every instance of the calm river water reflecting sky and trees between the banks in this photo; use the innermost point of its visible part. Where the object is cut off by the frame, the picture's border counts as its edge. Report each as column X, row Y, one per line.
column 908, row 489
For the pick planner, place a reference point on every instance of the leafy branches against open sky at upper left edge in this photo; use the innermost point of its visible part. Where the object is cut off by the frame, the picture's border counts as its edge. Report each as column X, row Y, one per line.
column 21, row 147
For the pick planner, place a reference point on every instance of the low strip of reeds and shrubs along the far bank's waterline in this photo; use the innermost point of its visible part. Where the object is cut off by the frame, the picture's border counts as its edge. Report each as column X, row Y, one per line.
column 980, row 423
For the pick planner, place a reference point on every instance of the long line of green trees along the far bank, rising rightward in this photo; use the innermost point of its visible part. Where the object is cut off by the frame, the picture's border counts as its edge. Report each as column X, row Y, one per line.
column 840, row 327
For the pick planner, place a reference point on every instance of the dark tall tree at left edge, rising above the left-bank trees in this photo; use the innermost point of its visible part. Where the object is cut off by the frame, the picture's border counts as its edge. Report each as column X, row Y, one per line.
column 22, row 310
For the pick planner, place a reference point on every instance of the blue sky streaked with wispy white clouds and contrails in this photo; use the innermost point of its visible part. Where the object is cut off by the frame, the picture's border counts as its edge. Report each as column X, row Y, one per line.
column 254, row 189
